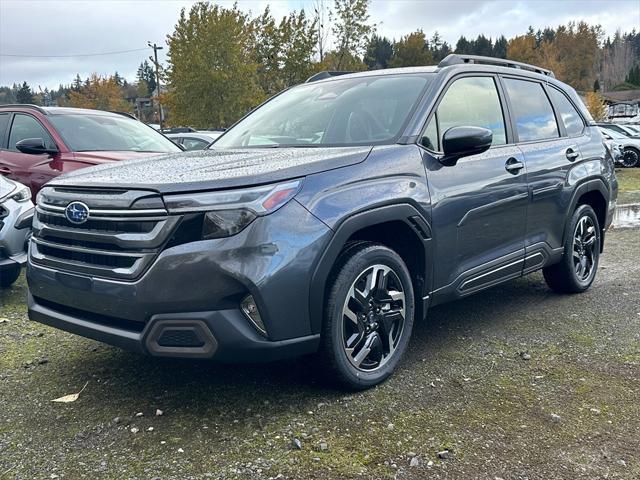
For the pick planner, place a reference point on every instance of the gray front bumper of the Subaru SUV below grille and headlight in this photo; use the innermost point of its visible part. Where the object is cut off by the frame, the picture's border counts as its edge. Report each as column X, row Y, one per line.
column 187, row 302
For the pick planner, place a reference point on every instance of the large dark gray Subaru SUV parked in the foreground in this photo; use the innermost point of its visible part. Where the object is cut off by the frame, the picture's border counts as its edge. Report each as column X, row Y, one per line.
column 330, row 218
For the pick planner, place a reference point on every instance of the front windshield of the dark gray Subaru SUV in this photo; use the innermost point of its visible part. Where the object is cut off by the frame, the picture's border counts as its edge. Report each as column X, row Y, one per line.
column 342, row 112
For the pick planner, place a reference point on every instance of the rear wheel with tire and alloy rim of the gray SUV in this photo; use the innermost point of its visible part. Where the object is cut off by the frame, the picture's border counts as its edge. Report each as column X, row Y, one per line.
column 577, row 270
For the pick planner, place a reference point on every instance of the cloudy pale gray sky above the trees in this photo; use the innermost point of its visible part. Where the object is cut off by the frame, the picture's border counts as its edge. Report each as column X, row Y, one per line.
column 47, row 42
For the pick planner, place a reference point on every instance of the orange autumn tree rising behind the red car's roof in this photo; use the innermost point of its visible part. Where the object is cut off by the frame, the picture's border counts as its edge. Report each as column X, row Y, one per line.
column 100, row 93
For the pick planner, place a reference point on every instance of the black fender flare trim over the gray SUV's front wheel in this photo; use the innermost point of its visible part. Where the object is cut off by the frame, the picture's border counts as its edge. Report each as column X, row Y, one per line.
column 397, row 212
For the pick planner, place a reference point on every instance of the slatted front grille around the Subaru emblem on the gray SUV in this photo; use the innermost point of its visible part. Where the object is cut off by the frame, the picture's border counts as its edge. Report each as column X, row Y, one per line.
column 117, row 241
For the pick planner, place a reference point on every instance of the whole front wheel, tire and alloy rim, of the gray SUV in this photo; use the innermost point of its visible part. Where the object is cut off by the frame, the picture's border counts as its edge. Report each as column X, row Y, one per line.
column 366, row 330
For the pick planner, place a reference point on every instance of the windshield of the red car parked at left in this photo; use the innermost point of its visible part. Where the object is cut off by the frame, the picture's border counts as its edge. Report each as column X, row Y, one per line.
column 89, row 133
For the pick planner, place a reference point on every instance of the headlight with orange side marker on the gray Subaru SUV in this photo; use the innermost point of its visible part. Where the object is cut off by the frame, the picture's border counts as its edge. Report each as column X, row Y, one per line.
column 228, row 212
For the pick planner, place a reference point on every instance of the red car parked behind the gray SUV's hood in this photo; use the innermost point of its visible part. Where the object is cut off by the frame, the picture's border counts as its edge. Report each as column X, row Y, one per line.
column 40, row 143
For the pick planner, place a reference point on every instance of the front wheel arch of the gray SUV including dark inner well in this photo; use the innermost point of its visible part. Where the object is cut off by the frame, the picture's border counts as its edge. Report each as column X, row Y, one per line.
column 400, row 227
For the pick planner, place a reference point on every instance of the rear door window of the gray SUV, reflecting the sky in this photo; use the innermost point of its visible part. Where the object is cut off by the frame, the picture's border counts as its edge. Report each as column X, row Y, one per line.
column 532, row 110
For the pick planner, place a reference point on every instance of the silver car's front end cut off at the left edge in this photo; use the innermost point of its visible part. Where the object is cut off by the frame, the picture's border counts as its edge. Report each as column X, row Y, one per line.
column 16, row 215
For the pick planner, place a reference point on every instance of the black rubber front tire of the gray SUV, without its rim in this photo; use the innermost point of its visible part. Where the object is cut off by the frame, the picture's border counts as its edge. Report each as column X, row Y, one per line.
column 360, row 258
